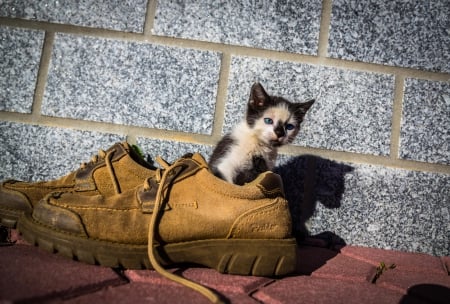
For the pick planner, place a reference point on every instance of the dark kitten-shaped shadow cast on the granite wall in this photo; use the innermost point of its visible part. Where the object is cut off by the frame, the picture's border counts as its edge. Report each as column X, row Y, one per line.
column 309, row 180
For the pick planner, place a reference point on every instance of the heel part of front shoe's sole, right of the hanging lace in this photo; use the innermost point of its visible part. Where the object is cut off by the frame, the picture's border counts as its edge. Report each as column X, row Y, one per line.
column 236, row 256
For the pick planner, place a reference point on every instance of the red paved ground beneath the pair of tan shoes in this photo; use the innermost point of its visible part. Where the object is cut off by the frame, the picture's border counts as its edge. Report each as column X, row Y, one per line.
column 340, row 275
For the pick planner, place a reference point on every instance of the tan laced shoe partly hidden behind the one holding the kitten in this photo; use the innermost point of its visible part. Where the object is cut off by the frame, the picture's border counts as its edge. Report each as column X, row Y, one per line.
column 110, row 172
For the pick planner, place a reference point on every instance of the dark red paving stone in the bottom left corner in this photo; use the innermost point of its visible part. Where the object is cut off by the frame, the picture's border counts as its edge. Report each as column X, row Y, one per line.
column 32, row 275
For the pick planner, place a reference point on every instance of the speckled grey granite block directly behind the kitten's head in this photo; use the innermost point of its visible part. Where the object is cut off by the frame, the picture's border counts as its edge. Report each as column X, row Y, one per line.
column 352, row 111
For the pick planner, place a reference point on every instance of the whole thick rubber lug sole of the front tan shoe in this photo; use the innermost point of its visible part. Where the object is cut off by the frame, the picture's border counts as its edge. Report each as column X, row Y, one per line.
column 256, row 257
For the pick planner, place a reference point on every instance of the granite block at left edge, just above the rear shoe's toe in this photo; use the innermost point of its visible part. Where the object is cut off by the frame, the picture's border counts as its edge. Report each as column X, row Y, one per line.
column 32, row 153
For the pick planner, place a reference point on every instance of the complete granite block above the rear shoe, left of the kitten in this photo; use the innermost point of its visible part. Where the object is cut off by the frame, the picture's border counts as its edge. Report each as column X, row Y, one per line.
column 132, row 83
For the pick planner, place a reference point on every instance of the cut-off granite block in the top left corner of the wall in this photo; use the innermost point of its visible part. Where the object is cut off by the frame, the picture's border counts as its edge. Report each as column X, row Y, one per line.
column 112, row 14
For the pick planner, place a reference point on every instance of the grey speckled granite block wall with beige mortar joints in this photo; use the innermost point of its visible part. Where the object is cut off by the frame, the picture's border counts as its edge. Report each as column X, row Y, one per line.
column 372, row 161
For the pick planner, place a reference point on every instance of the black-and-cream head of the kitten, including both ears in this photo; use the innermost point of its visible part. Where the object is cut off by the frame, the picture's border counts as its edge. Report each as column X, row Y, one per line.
column 275, row 120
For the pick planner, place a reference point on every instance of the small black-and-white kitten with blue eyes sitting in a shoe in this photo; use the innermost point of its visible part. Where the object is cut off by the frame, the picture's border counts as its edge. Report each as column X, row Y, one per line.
column 251, row 148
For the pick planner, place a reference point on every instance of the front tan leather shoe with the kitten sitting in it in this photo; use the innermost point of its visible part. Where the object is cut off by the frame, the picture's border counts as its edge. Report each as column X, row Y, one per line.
column 184, row 211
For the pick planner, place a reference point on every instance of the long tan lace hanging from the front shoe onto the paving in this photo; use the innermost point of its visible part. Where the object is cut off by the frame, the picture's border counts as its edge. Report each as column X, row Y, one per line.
column 161, row 178
